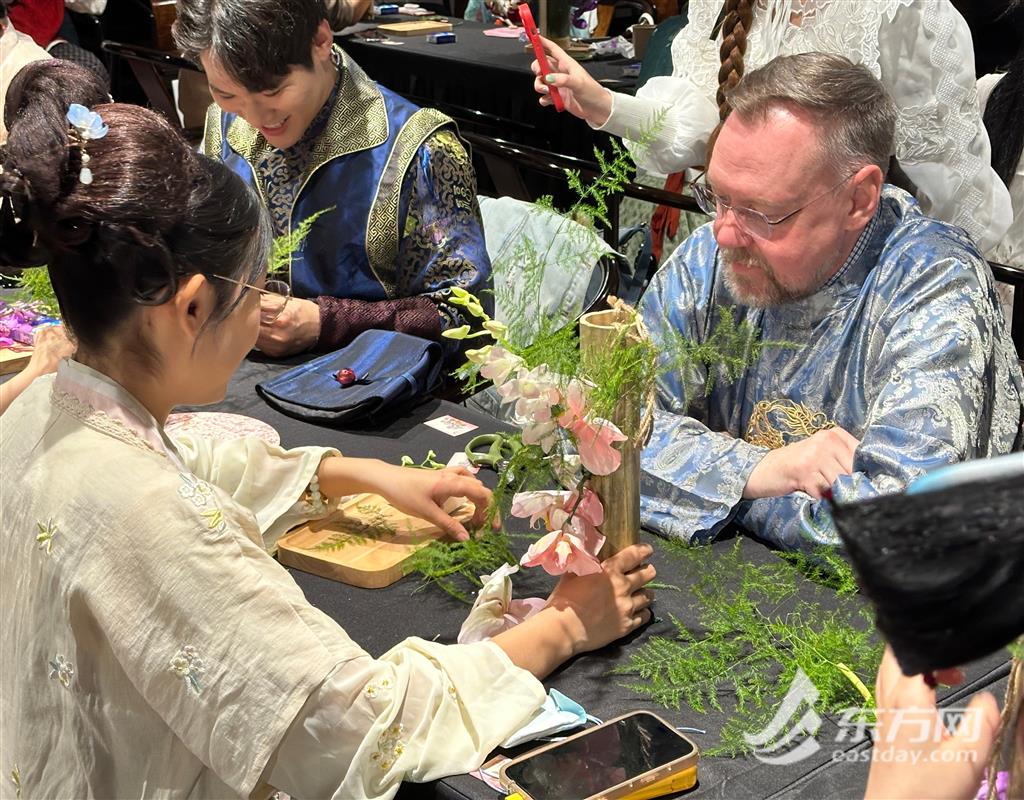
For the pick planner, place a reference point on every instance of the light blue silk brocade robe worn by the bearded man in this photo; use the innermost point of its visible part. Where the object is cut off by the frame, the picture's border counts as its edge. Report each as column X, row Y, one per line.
column 905, row 348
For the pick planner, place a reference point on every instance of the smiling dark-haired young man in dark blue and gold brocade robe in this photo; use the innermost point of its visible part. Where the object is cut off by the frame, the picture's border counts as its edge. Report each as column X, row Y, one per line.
column 304, row 124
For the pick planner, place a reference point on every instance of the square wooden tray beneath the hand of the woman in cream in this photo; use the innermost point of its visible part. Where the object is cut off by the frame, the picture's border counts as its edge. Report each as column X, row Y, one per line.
column 365, row 543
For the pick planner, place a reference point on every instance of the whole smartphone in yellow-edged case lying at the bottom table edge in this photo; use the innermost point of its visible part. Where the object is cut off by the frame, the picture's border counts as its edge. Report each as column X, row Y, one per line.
column 633, row 756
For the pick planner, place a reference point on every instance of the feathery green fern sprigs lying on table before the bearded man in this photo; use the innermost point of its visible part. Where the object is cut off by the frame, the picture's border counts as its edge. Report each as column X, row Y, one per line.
column 754, row 634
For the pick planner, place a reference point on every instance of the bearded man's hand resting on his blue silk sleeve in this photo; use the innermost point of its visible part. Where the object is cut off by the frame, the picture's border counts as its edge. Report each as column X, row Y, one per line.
column 812, row 466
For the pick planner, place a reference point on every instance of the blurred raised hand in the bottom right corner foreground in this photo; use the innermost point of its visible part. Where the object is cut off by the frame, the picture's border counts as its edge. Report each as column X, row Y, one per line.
column 908, row 762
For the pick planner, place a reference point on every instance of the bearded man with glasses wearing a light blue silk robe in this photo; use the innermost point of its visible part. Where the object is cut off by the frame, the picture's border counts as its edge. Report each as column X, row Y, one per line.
column 899, row 361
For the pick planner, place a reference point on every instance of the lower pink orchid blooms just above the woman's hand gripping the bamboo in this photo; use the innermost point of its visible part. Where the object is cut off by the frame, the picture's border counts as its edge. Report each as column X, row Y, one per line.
column 572, row 545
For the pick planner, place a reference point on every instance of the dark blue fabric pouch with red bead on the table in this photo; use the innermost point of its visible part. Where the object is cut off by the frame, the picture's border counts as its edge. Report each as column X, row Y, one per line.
column 393, row 370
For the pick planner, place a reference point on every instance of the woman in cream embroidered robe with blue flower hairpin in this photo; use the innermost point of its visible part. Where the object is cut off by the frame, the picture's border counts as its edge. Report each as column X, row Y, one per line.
column 152, row 647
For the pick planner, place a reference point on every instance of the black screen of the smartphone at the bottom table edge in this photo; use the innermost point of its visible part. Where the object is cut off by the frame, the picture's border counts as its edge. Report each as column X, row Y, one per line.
column 604, row 759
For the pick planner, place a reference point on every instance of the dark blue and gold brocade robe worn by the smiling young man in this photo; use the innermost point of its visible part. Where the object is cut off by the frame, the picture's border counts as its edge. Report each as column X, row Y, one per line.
column 401, row 225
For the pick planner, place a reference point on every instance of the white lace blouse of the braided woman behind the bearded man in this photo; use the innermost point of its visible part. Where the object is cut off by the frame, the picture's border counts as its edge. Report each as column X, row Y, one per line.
column 920, row 50
